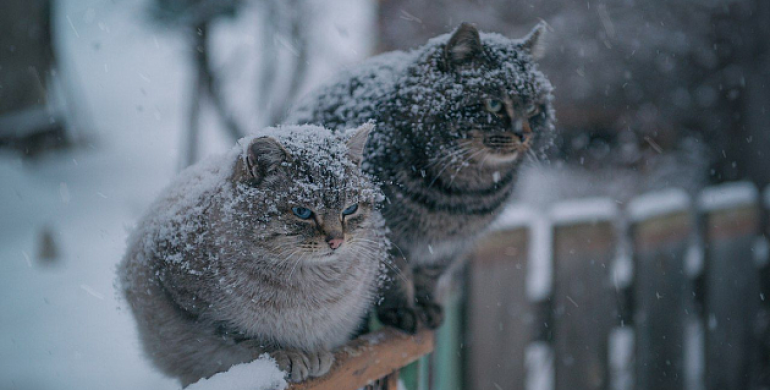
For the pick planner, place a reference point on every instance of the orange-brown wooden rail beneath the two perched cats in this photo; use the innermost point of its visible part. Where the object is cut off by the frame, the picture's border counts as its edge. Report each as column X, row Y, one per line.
column 371, row 357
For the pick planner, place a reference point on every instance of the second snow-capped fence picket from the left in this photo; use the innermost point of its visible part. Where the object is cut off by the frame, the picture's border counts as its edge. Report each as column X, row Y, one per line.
column 584, row 304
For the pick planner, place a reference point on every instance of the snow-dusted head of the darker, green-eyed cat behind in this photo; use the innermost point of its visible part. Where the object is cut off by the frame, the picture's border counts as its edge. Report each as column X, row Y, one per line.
column 481, row 95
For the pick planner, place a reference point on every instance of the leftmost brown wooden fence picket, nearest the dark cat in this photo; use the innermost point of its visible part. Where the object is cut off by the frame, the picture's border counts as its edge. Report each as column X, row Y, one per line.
column 499, row 316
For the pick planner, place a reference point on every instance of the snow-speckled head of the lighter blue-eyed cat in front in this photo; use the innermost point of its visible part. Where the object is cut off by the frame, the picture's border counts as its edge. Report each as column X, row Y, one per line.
column 302, row 189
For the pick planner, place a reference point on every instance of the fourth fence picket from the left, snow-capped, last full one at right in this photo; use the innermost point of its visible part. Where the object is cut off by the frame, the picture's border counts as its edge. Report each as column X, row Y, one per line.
column 732, row 293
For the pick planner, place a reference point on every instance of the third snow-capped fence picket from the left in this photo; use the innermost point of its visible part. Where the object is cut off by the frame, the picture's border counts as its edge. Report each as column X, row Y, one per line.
column 661, row 231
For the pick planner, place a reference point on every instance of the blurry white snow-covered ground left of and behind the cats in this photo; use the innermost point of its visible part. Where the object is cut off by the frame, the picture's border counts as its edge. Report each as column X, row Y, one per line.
column 62, row 325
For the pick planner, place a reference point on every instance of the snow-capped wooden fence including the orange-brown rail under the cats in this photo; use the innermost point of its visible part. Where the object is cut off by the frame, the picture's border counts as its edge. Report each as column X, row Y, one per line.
column 669, row 291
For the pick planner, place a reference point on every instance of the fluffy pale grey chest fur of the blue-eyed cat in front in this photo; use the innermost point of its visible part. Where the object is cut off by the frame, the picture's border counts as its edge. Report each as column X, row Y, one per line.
column 302, row 307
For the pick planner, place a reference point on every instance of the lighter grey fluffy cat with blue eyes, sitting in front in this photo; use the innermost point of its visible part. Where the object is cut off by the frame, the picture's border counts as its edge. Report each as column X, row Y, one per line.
column 273, row 248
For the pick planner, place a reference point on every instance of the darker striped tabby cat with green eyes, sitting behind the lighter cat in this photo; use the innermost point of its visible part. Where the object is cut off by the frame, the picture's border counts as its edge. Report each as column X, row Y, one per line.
column 454, row 120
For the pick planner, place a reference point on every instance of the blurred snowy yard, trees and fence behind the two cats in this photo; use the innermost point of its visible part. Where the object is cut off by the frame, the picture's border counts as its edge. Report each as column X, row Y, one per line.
column 659, row 104
